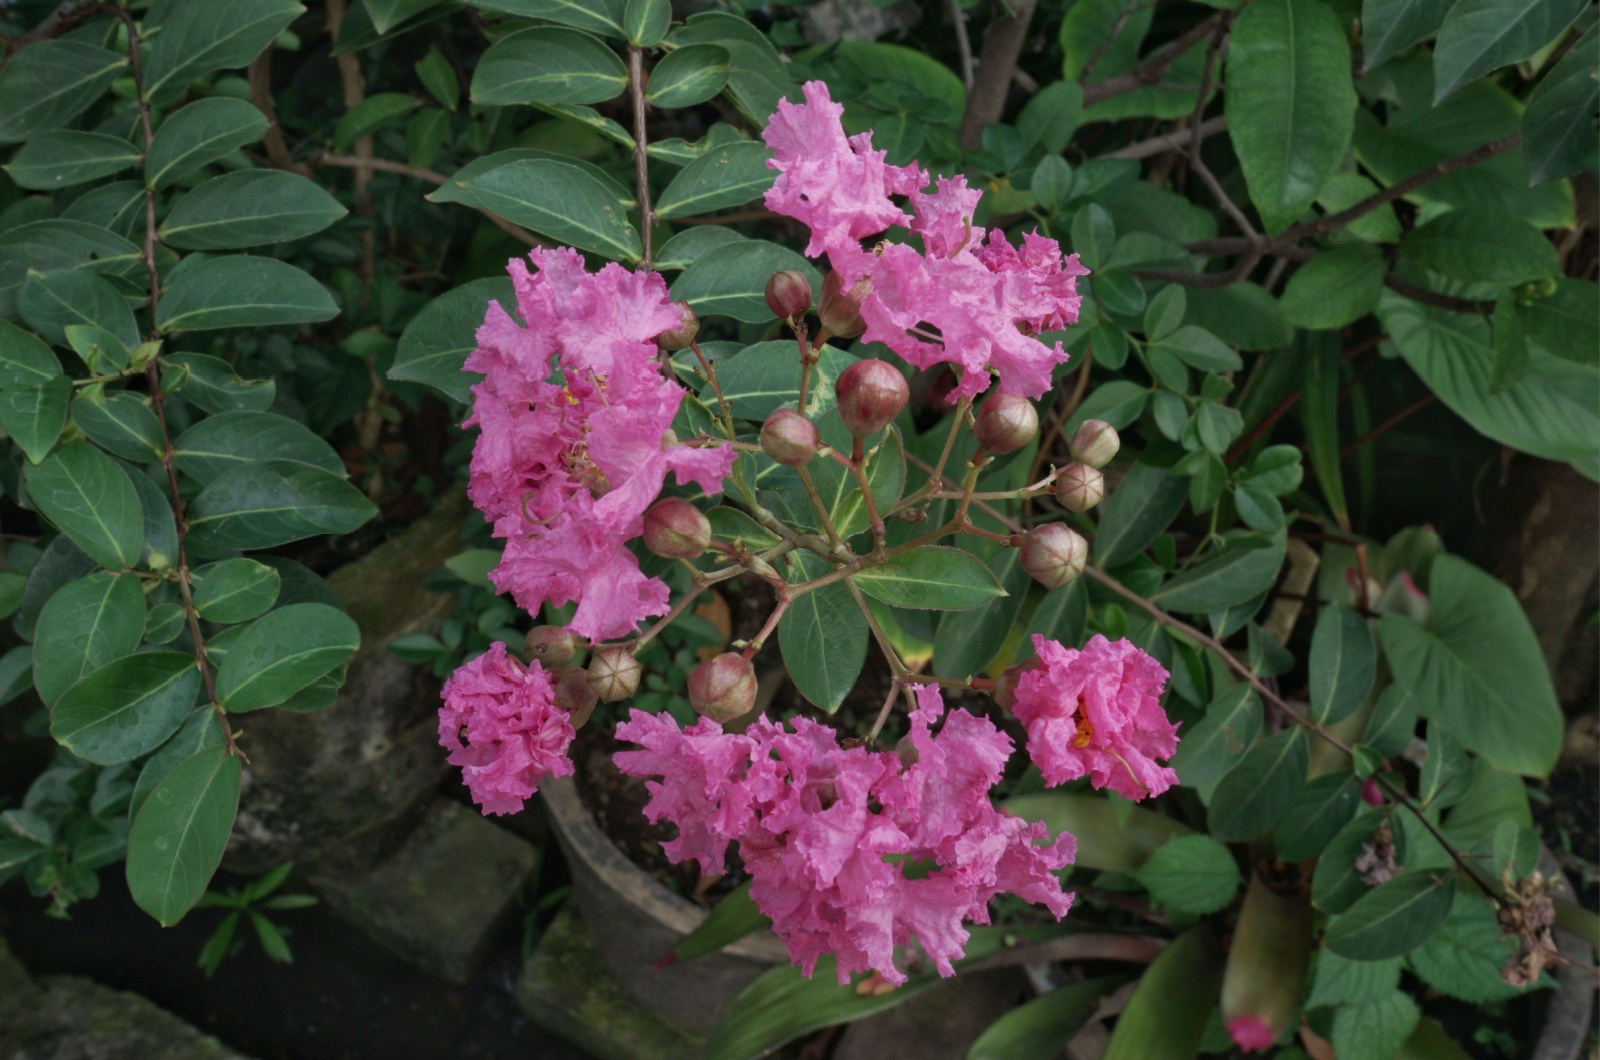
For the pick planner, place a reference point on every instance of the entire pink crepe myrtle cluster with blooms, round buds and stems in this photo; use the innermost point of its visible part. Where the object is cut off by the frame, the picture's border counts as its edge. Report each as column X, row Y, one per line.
column 854, row 849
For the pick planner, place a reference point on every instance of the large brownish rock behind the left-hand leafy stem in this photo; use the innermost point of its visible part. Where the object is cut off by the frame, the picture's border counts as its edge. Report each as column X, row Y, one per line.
column 374, row 757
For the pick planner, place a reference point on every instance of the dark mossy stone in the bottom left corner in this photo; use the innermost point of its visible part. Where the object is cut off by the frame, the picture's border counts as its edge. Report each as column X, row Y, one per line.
column 65, row 1018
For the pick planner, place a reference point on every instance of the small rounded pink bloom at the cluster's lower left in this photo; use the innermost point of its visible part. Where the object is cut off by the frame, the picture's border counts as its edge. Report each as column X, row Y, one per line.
column 503, row 729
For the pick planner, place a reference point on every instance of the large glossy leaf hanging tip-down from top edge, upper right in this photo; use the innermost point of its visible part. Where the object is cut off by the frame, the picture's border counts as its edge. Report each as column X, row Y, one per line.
column 1290, row 103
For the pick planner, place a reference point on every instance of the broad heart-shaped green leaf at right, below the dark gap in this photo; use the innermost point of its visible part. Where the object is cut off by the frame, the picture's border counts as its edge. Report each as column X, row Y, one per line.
column 1478, row 670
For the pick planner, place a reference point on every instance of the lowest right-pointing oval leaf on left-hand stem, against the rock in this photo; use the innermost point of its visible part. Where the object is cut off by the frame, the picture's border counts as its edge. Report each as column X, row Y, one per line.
column 282, row 652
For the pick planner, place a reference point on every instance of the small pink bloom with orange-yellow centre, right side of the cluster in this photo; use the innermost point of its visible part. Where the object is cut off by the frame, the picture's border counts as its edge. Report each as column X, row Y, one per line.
column 1097, row 713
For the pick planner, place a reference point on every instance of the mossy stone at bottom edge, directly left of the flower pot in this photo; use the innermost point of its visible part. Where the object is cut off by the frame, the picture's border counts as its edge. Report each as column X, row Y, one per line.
column 566, row 989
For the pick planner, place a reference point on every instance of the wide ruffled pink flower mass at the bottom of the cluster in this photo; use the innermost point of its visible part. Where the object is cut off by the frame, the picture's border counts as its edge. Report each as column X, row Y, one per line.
column 818, row 825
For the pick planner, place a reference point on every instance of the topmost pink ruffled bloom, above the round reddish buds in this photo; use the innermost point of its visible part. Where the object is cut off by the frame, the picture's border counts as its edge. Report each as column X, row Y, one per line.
column 985, row 299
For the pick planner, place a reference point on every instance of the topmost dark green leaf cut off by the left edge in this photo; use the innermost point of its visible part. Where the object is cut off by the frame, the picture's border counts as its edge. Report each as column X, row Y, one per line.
column 50, row 82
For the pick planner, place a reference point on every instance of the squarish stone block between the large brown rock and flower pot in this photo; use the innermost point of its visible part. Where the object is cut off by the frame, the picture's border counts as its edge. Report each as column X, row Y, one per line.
column 441, row 899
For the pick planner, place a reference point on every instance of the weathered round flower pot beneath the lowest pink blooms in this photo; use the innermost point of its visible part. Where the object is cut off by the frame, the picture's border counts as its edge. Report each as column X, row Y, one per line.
column 634, row 921
